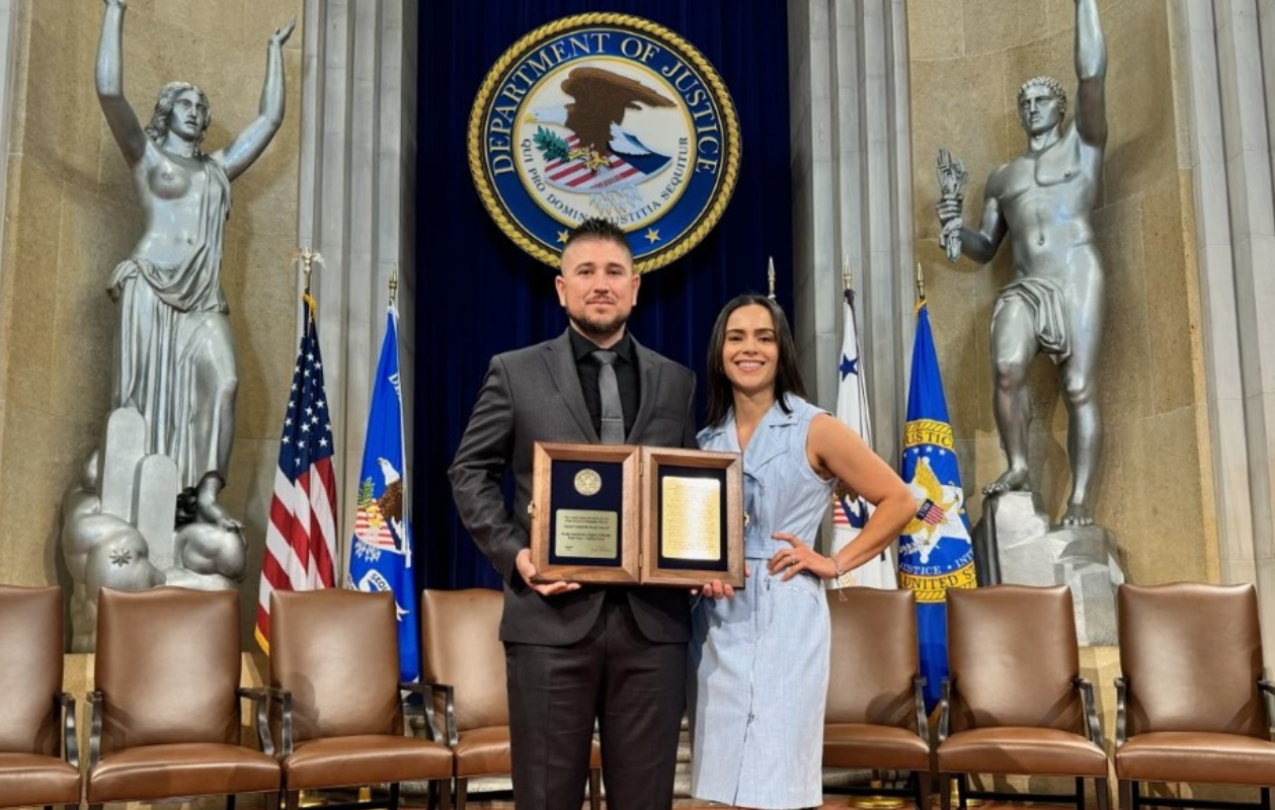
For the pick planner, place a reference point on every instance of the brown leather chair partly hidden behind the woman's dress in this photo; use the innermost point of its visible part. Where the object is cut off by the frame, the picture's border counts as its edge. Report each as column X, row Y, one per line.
column 877, row 712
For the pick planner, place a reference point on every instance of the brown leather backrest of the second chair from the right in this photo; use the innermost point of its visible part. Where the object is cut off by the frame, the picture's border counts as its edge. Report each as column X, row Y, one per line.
column 1013, row 659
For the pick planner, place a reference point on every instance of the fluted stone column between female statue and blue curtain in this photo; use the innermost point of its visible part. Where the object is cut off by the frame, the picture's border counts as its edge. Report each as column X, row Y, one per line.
column 358, row 207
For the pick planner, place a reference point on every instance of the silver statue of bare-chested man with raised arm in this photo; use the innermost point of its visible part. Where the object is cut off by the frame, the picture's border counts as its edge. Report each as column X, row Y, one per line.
column 1056, row 303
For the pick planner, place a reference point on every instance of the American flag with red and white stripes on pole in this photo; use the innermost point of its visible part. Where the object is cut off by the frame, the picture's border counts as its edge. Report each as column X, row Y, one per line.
column 302, row 539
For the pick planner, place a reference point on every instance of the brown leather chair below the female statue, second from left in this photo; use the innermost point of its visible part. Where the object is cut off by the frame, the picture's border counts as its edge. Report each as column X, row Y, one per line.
column 166, row 712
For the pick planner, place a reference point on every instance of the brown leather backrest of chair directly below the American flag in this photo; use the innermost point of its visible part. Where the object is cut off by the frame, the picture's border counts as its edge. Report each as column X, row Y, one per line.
column 337, row 652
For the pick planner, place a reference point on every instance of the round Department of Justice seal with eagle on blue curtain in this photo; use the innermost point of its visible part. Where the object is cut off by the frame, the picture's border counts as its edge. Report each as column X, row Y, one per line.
column 605, row 115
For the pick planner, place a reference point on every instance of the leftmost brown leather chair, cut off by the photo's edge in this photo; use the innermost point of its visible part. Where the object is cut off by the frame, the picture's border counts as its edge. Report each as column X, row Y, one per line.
column 39, row 763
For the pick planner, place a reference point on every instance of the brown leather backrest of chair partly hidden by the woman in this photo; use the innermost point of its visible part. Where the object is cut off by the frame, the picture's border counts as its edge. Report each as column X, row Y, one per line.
column 874, row 658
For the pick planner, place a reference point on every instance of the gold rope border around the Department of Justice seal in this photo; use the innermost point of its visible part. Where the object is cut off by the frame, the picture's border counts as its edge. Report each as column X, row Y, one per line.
column 731, row 169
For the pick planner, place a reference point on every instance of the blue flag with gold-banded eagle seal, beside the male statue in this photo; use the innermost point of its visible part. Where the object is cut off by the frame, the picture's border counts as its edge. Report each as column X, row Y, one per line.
column 935, row 550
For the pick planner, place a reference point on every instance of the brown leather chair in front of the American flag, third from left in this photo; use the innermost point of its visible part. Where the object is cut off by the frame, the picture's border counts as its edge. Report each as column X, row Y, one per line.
column 335, row 665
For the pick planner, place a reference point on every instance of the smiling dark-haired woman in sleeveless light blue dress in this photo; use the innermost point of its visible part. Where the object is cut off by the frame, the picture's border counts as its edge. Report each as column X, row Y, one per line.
column 759, row 661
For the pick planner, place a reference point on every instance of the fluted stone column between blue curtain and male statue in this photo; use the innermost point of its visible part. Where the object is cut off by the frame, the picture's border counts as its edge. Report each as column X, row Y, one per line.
column 852, row 196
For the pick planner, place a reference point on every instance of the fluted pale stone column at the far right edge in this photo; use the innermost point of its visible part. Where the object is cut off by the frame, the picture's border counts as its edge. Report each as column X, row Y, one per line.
column 1228, row 57
